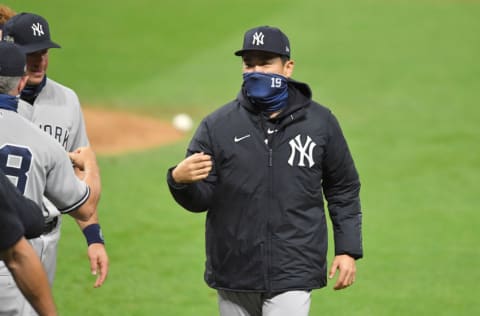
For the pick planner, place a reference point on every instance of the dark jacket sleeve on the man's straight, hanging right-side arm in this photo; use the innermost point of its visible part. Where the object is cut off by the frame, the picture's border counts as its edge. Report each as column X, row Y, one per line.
column 341, row 187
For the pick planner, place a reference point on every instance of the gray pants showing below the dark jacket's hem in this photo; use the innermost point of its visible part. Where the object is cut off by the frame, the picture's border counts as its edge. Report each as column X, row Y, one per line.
column 290, row 303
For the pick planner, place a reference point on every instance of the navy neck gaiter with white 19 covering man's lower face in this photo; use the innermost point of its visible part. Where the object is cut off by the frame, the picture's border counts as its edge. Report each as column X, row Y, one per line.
column 268, row 92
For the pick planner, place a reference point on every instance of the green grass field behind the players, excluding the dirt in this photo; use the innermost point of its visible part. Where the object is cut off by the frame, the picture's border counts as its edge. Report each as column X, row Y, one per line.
column 403, row 78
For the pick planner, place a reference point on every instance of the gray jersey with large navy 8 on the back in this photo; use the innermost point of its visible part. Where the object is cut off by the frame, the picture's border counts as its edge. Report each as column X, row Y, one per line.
column 37, row 164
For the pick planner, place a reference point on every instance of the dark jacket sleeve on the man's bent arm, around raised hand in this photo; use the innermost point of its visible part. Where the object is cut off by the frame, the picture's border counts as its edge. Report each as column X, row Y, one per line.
column 197, row 196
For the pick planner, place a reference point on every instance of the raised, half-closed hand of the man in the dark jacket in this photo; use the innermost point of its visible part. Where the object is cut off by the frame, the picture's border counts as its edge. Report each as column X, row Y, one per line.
column 193, row 168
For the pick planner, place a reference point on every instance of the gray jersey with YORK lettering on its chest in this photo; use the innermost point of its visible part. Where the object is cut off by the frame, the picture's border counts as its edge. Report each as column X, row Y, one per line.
column 57, row 111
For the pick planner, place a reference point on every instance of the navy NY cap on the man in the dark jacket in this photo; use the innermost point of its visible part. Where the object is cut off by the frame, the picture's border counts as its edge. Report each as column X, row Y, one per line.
column 267, row 39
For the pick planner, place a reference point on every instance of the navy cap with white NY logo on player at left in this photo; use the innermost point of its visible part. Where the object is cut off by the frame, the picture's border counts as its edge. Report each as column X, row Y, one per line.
column 29, row 31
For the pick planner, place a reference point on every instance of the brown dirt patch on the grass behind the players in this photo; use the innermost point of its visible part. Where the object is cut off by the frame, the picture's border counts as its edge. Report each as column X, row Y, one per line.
column 116, row 132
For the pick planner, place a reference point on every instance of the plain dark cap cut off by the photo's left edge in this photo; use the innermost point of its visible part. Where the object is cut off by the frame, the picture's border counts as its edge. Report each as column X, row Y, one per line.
column 12, row 60
